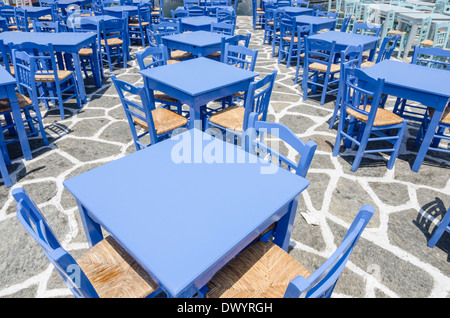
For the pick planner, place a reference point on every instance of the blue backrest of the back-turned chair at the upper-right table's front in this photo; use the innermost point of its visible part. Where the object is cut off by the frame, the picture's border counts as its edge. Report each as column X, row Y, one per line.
column 319, row 51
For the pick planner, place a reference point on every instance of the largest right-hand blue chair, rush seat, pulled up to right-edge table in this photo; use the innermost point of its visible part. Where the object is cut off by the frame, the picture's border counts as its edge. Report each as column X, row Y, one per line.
column 361, row 97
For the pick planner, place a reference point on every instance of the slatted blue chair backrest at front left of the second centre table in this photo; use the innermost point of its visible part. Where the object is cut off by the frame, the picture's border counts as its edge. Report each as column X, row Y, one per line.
column 137, row 113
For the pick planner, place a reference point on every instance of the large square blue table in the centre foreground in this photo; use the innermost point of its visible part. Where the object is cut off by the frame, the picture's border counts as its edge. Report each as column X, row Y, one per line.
column 183, row 237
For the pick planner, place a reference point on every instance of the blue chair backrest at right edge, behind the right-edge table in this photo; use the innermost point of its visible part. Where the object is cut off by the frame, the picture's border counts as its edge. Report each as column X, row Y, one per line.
column 434, row 57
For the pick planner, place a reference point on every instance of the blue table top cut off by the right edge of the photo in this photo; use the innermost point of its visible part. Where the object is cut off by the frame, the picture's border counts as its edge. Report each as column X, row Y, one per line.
column 416, row 77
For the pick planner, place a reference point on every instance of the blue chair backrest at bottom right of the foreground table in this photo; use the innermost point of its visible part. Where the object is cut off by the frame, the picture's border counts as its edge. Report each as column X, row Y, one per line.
column 321, row 283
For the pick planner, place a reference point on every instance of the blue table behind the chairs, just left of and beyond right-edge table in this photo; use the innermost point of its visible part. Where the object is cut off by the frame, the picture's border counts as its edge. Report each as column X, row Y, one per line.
column 344, row 39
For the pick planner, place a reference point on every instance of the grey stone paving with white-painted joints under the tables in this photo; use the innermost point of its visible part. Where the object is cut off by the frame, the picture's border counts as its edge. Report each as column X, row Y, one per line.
column 391, row 259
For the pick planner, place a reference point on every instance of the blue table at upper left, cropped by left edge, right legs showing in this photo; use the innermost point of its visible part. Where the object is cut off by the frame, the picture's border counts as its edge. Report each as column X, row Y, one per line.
column 64, row 42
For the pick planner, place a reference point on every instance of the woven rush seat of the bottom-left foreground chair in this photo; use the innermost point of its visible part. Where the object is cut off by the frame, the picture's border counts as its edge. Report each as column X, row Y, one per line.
column 114, row 273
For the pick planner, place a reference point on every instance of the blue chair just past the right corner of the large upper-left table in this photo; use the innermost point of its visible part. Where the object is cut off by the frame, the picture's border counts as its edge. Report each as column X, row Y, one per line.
column 114, row 41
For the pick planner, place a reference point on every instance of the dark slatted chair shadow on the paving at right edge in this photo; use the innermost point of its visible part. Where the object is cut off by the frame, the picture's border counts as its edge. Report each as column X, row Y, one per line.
column 433, row 210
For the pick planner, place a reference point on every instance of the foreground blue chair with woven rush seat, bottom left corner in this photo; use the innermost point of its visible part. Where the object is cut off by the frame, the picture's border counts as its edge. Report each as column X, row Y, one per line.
column 105, row 270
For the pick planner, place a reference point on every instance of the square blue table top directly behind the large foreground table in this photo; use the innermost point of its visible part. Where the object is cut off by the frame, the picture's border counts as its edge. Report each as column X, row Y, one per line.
column 198, row 76
